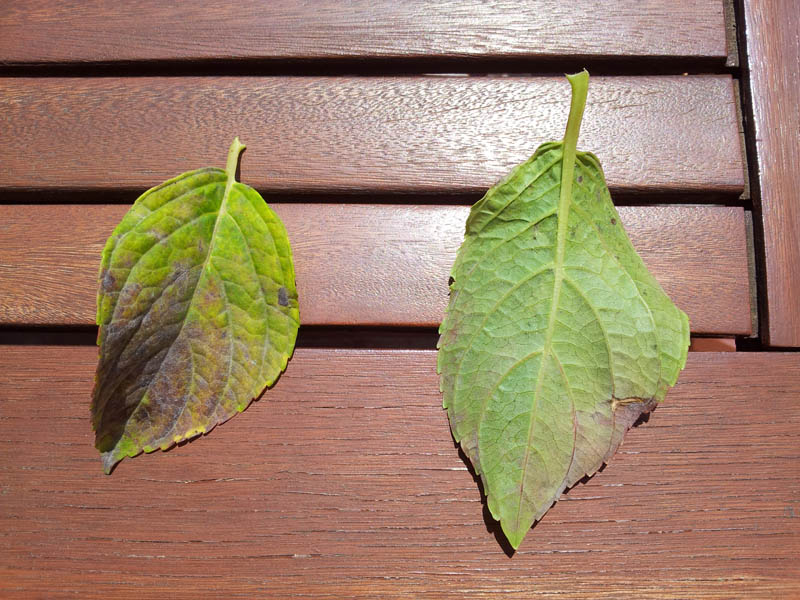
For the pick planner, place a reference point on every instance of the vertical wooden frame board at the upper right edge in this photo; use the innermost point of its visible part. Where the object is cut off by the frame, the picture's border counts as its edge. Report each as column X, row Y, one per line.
column 773, row 54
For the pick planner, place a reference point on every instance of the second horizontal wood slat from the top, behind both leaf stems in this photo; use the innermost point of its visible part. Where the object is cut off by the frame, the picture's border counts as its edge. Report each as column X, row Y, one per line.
column 376, row 135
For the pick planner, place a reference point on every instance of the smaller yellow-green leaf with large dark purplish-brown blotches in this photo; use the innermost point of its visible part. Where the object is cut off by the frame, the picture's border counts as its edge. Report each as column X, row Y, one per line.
column 197, row 309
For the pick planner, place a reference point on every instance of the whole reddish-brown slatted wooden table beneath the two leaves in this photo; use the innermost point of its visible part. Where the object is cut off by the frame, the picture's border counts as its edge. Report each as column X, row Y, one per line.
column 371, row 128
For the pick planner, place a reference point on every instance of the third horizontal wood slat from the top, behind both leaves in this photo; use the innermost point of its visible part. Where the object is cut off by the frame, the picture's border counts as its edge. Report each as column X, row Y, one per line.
column 379, row 265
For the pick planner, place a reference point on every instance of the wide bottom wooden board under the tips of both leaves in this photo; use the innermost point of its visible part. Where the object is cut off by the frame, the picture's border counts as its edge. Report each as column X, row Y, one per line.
column 343, row 482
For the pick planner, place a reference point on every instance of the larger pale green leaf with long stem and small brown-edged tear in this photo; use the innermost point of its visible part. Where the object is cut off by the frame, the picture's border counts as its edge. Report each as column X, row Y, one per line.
column 556, row 338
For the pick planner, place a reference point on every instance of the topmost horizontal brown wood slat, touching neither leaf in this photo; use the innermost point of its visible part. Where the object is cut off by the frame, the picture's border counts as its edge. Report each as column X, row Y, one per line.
column 43, row 31
